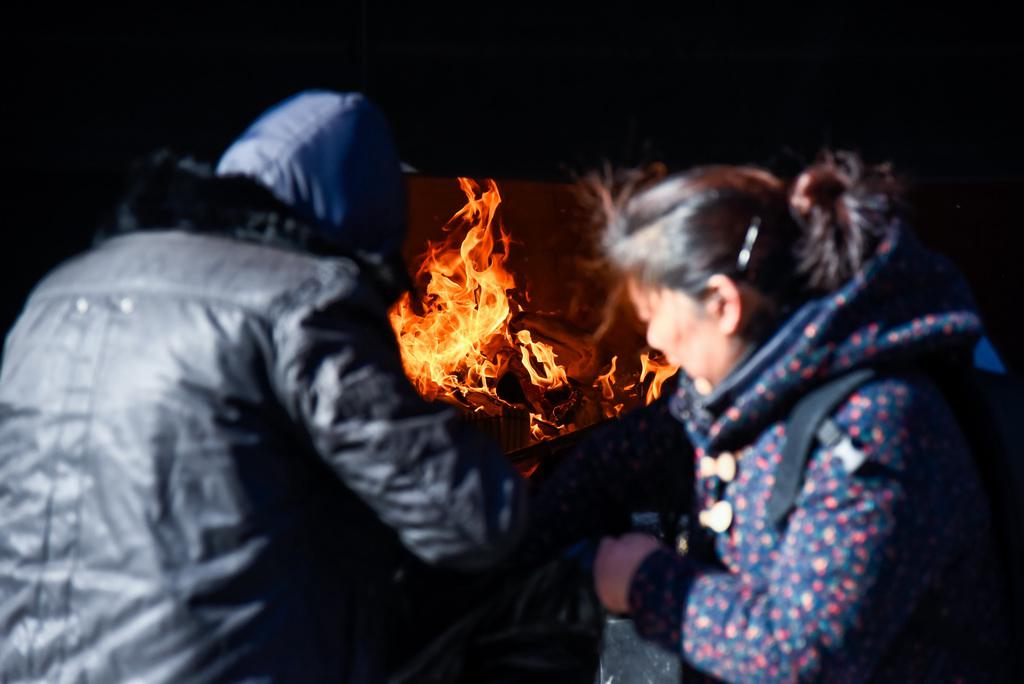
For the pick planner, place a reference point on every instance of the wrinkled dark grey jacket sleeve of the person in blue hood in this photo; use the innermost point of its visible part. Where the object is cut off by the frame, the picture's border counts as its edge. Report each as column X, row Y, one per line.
column 447, row 491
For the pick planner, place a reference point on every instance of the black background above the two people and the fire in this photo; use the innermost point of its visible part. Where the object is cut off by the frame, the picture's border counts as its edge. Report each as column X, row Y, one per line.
column 538, row 92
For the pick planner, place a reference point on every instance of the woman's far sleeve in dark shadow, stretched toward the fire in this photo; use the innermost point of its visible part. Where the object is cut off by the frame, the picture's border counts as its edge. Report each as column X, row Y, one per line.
column 633, row 464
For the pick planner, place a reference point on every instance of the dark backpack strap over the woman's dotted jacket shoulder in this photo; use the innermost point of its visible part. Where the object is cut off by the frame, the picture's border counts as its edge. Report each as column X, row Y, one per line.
column 809, row 423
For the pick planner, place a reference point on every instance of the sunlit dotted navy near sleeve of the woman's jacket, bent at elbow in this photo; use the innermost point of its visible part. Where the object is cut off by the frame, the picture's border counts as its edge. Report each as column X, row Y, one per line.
column 858, row 554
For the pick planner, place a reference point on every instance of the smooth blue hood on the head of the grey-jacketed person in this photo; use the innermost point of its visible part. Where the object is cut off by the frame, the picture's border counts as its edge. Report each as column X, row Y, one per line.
column 331, row 158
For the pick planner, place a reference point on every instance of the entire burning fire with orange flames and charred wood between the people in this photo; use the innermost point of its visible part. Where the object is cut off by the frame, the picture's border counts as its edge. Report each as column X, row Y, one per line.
column 467, row 338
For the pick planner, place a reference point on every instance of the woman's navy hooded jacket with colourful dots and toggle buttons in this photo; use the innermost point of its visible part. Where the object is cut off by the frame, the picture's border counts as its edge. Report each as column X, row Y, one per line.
column 885, row 570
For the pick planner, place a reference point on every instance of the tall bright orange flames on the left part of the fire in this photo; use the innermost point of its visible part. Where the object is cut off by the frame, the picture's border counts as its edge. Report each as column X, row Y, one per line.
column 456, row 343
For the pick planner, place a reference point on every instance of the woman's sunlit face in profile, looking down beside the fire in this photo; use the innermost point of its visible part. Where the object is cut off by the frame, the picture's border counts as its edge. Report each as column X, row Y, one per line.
column 689, row 332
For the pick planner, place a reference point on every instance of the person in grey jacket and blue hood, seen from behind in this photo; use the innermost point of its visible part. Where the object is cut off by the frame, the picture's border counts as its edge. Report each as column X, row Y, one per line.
column 212, row 466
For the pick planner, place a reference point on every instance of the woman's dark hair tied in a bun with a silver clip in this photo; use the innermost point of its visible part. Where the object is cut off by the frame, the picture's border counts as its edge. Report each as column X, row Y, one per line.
column 789, row 241
